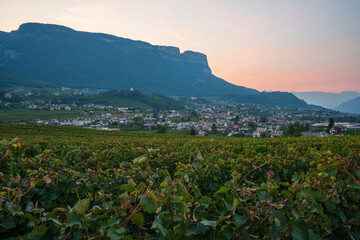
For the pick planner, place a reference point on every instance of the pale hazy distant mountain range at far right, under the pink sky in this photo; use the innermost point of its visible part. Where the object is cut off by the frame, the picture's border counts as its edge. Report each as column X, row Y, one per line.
column 327, row 100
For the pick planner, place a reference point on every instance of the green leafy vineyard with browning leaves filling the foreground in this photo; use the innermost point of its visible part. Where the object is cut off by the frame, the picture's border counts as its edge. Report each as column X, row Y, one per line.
column 72, row 183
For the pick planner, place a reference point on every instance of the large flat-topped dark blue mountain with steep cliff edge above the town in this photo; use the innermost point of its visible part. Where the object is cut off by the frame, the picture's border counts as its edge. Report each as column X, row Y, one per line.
column 61, row 56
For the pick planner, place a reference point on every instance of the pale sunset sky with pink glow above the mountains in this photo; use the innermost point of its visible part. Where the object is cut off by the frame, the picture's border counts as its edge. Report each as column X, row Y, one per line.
column 283, row 45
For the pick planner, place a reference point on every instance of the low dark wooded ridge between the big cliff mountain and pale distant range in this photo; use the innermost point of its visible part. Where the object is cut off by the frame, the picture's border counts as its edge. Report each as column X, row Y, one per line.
column 281, row 99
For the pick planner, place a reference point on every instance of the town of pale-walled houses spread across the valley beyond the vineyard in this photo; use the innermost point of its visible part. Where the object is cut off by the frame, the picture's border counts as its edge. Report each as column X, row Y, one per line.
column 202, row 120
